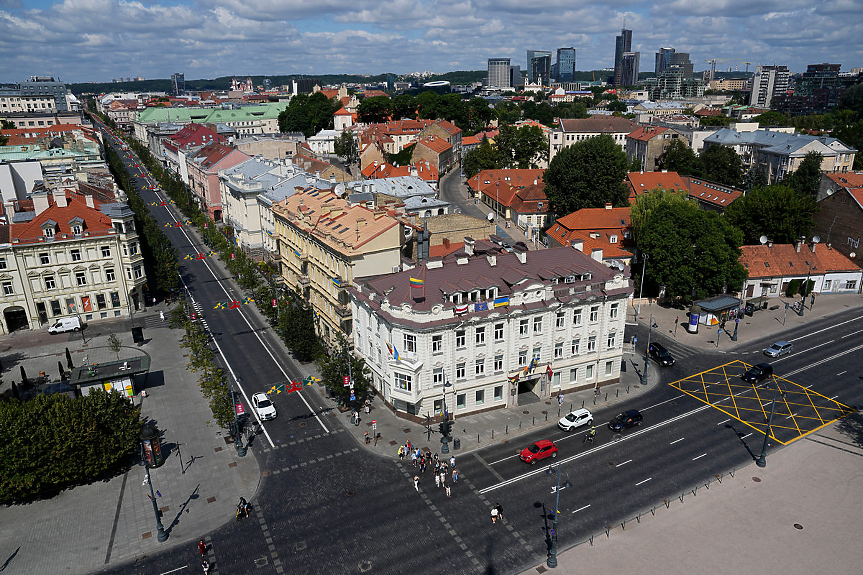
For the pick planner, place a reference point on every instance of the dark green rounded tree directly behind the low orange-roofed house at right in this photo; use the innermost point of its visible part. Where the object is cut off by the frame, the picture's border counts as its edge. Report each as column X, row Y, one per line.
column 778, row 212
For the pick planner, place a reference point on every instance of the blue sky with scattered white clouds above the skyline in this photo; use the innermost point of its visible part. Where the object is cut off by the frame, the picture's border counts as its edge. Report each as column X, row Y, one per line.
column 98, row 40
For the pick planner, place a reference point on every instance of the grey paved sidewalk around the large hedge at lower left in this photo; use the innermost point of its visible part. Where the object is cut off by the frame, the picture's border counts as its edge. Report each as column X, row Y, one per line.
column 113, row 521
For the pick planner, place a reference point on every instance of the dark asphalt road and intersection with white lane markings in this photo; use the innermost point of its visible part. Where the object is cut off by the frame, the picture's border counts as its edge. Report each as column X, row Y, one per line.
column 326, row 505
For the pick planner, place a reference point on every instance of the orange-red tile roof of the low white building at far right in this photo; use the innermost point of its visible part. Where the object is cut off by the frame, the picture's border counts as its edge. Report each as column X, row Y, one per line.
column 781, row 260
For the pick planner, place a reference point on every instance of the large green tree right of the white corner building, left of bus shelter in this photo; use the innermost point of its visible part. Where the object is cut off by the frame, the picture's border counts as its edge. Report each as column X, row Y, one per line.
column 691, row 250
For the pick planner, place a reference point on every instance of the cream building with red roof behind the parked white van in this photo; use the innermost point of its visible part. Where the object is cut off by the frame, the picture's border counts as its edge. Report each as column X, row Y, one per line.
column 68, row 254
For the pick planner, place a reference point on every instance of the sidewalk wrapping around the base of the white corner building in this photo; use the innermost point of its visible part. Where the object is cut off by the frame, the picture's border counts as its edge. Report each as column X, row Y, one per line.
column 496, row 426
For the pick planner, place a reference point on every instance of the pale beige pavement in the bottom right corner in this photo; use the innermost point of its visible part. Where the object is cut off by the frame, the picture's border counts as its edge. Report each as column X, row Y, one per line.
column 799, row 515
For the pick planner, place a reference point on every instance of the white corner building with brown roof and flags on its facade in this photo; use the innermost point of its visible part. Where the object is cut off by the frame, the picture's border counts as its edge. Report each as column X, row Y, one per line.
column 491, row 329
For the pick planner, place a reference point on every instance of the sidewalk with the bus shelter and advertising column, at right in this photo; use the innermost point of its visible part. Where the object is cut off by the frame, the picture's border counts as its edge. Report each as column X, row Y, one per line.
column 761, row 324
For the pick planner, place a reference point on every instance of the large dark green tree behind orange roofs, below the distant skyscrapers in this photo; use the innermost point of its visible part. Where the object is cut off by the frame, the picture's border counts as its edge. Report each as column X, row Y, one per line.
column 587, row 174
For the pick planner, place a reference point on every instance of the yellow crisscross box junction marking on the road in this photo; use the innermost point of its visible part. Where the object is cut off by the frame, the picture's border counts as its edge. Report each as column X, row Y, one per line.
column 800, row 412
